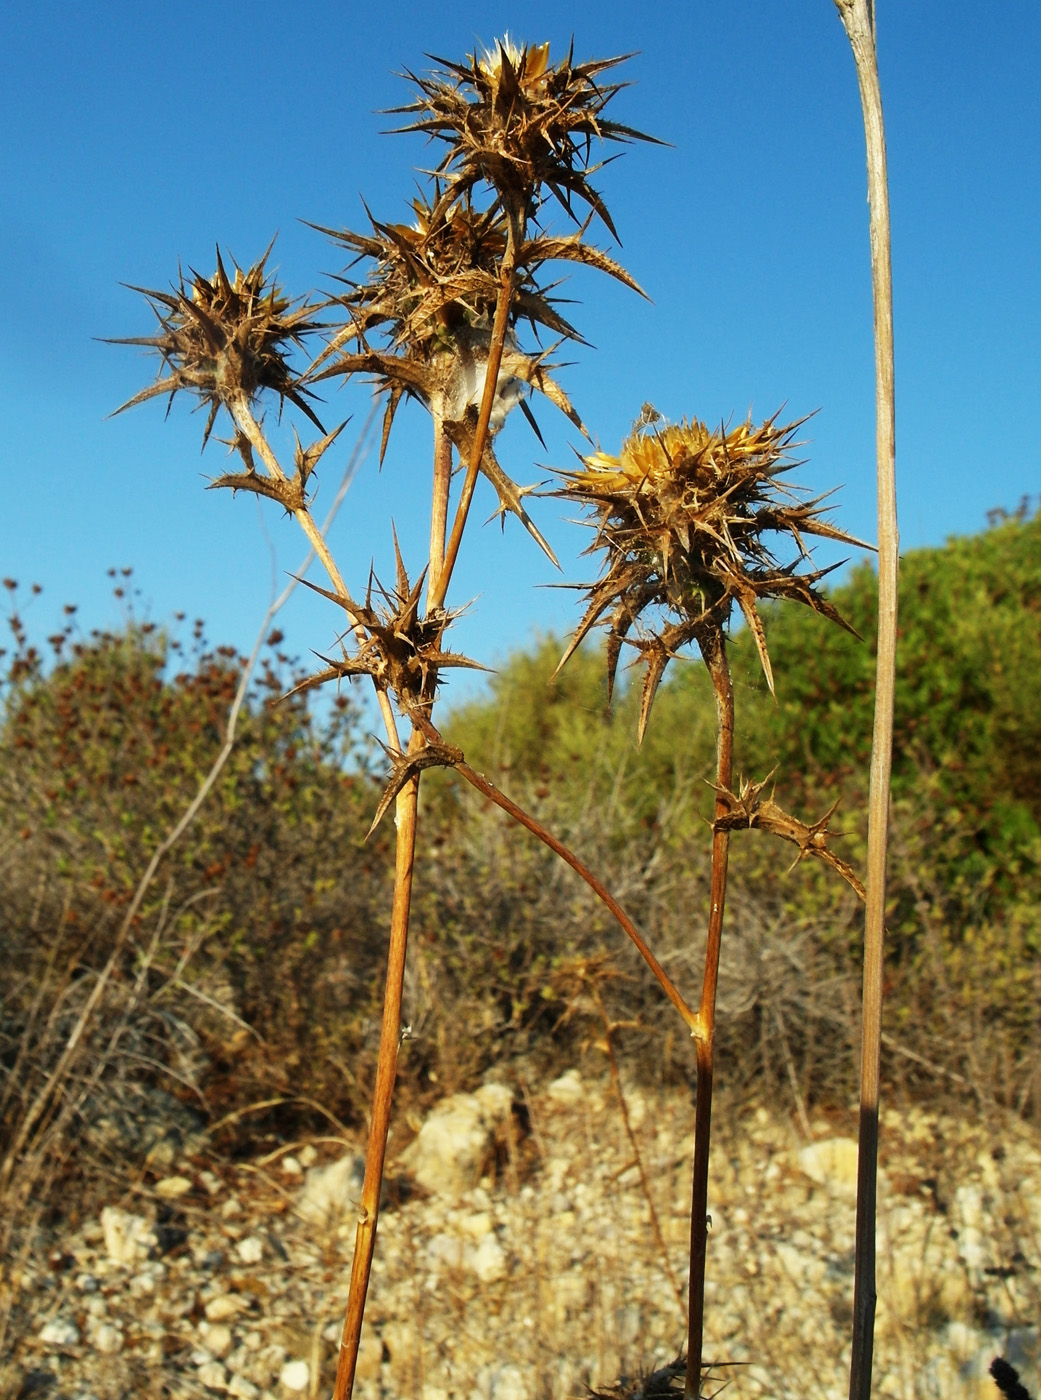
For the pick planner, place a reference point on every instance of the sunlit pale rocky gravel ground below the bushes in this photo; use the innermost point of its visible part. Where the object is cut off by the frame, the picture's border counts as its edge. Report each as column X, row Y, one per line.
column 518, row 1258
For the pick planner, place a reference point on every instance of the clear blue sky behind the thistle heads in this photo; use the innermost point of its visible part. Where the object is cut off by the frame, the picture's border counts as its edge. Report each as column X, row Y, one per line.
column 139, row 135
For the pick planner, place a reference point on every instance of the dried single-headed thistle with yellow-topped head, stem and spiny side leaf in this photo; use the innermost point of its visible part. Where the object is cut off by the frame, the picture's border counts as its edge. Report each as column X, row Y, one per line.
column 686, row 517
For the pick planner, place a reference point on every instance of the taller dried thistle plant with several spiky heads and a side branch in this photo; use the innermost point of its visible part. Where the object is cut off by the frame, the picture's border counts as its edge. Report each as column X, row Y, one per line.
column 440, row 318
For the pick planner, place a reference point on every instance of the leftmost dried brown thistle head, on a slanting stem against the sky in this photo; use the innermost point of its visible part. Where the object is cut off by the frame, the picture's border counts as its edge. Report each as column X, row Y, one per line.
column 226, row 337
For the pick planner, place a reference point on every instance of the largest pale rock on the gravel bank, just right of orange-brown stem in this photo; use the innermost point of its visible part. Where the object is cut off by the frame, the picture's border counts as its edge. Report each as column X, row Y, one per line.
column 455, row 1140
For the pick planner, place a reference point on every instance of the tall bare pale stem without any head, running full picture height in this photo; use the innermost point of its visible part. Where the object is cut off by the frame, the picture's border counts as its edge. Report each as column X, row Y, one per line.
column 858, row 19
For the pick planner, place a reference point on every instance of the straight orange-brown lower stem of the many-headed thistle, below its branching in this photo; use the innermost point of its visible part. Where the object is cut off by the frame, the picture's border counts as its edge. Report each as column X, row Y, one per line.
column 387, row 1073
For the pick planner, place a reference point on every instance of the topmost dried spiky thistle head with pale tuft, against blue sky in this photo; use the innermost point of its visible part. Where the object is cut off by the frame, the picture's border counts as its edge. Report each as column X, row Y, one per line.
column 520, row 124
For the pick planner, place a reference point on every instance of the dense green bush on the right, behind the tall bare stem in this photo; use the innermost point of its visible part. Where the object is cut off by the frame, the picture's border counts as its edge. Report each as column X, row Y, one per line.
column 966, row 860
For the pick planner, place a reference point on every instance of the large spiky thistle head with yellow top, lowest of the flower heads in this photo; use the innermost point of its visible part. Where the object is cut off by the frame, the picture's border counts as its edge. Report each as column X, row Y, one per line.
column 684, row 513
